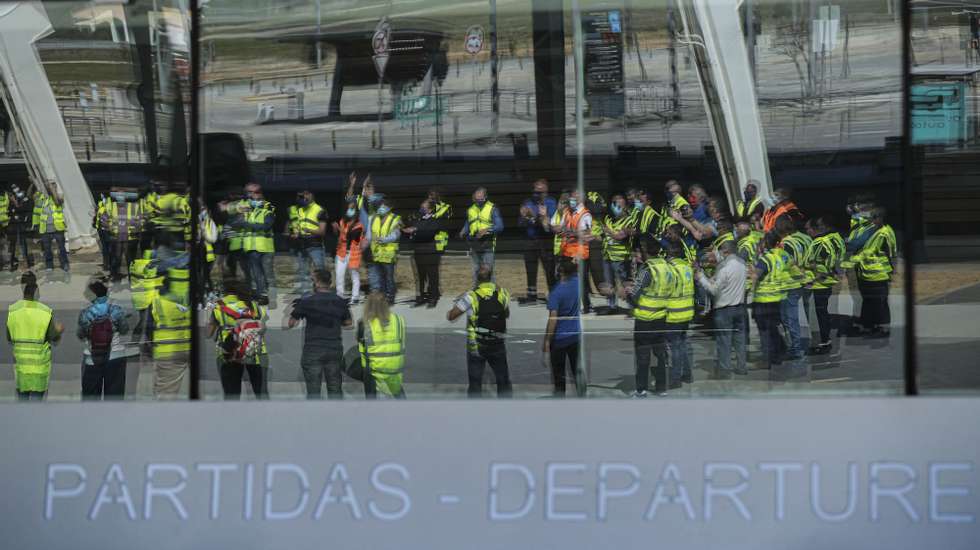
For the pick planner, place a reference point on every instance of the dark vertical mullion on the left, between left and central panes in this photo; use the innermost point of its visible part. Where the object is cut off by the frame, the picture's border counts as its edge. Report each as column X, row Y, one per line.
column 195, row 193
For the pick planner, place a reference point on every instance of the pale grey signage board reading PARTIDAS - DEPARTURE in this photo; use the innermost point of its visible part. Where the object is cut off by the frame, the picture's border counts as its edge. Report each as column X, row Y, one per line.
column 701, row 473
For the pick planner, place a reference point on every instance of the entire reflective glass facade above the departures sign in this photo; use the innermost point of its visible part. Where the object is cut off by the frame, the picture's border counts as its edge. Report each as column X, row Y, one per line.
column 506, row 198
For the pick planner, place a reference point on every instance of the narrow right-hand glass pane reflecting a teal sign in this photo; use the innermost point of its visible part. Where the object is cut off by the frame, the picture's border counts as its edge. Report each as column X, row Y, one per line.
column 944, row 118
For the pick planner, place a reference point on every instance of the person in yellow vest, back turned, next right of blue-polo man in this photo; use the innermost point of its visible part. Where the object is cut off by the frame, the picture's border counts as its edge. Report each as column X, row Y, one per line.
column 648, row 295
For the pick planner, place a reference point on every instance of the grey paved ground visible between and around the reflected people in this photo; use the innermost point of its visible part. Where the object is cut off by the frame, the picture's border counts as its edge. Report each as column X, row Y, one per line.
column 436, row 366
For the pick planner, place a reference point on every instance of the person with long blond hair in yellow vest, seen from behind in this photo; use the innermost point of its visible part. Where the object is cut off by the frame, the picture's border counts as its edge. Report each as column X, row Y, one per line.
column 381, row 349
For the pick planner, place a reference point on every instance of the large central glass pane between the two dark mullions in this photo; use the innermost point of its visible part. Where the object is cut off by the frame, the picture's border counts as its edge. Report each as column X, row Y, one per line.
column 430, row 104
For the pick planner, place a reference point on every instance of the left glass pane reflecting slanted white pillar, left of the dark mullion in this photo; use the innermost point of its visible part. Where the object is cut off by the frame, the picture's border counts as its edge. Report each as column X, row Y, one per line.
column 90, row 93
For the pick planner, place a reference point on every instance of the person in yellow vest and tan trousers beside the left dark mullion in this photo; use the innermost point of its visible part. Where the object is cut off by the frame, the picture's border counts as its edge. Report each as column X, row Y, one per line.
column 170, row 327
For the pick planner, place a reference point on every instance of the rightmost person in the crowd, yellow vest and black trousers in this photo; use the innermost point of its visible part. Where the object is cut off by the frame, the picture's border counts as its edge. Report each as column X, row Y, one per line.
column 874, row 264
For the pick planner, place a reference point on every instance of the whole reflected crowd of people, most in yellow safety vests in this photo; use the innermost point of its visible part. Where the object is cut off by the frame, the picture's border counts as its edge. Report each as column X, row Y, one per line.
column 691, row 261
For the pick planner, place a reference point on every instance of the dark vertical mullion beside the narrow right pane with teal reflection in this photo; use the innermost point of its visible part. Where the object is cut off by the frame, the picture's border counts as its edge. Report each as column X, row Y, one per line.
column 908, row 208
